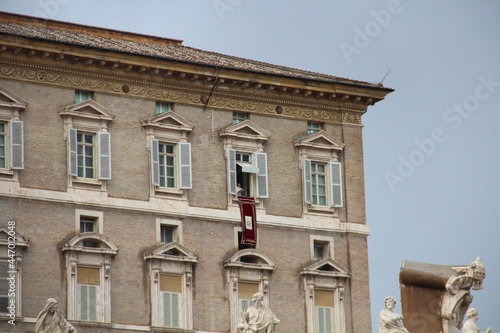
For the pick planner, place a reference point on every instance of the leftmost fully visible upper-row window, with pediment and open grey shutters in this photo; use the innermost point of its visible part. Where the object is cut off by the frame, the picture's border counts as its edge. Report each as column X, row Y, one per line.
column 89, row 143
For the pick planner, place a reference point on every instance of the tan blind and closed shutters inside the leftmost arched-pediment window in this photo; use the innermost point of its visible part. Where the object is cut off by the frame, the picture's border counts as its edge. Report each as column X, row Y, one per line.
column 88, row 282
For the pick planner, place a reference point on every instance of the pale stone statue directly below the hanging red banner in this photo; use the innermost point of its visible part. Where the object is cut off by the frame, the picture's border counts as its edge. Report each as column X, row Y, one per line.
column 258, row 318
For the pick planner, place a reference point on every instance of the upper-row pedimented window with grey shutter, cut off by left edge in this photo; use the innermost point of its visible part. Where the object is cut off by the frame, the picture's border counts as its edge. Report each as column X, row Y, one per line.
column 14, row 134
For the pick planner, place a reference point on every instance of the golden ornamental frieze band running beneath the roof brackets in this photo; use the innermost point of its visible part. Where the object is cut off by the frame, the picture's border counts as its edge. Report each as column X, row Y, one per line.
column 182, row 94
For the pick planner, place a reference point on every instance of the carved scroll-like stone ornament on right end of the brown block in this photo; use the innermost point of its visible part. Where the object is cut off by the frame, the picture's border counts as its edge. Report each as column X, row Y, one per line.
column 457, row 297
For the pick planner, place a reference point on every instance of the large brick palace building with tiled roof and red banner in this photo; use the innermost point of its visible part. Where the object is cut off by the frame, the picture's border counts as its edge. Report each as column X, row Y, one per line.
column 150, row 186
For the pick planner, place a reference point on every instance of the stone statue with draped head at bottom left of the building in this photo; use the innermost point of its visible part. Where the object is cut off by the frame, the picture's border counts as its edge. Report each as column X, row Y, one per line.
column 50, row 320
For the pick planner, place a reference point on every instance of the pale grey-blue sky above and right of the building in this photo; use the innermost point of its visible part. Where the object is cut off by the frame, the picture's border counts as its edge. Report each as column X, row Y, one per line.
column 431, row 148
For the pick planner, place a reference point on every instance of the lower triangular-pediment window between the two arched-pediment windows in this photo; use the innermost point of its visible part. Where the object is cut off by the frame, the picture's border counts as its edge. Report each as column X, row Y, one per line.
column 171, row 272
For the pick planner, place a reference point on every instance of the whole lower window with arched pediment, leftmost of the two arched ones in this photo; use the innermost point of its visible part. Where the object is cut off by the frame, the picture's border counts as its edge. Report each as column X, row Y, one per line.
column 88, row 275
